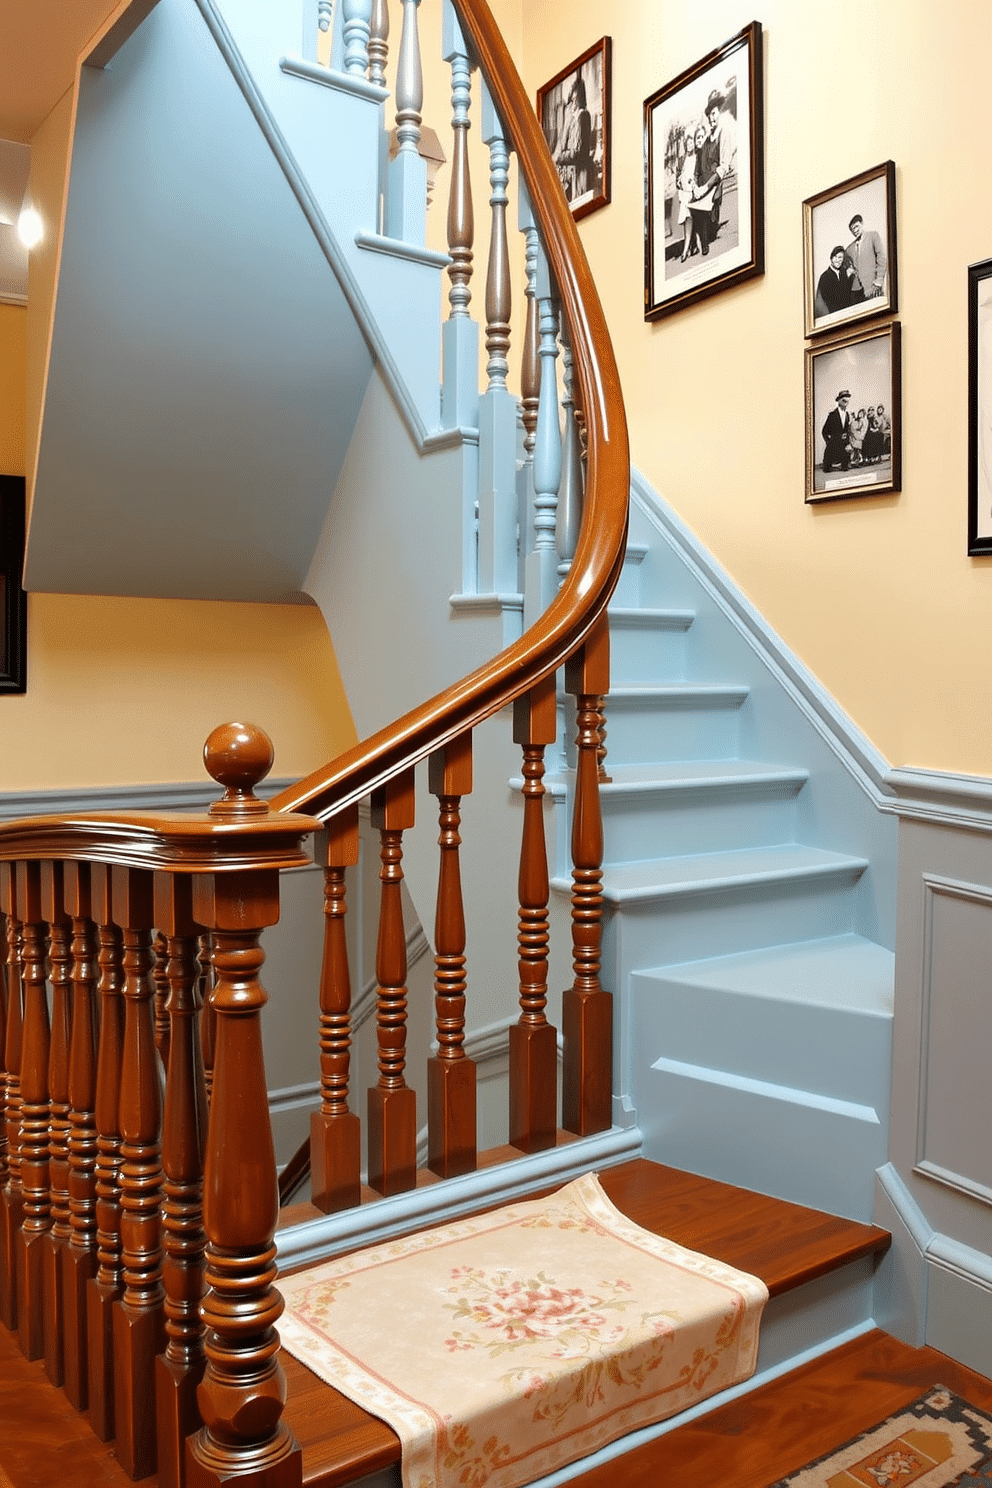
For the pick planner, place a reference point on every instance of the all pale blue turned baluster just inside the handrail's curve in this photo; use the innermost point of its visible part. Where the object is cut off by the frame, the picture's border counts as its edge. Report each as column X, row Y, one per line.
column 542, row 577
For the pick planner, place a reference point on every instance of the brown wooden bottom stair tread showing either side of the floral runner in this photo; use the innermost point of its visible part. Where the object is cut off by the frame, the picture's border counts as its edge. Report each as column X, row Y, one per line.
column 786, row 1245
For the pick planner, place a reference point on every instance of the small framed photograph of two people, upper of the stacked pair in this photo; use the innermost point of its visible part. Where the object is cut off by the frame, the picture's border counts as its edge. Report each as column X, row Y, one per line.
column 850, row 251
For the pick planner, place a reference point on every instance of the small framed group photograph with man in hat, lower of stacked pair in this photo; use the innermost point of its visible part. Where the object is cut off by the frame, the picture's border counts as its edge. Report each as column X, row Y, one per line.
column 854, row 428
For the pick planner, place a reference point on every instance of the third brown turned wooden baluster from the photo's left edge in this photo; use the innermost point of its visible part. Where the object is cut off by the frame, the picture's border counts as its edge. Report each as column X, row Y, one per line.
column 59, row 968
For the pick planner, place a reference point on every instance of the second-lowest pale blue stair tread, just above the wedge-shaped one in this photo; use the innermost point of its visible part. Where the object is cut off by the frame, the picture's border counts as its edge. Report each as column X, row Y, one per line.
column 709, row 871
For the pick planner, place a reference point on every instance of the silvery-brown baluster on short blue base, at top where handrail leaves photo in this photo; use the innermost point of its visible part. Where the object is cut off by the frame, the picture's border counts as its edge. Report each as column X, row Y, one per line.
column 460, row 333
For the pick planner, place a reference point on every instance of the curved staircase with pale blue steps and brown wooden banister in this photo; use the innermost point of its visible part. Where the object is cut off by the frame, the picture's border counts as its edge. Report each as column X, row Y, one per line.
column 740, row 926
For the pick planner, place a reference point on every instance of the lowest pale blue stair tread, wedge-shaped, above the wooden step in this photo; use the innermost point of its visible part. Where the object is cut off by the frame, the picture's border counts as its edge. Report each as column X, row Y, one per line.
column 841, row 972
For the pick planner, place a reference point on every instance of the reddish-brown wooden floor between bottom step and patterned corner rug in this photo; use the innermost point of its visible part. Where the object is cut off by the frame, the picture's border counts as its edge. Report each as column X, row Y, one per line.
column 788, row 1423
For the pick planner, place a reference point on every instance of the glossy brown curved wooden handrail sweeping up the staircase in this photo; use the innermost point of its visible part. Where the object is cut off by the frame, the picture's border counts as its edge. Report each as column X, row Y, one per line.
column 602, row 545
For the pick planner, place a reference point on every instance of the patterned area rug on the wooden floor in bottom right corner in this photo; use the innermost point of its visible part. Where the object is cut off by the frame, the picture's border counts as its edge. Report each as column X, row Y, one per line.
column 936, row 1443
